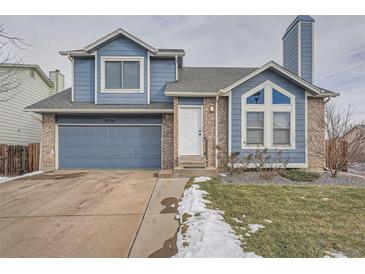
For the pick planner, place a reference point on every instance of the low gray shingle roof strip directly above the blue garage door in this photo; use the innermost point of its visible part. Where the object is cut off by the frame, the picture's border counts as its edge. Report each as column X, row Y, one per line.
column 62, row 101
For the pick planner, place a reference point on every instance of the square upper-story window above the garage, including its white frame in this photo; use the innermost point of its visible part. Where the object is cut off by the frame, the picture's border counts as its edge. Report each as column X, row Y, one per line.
column 122, row 74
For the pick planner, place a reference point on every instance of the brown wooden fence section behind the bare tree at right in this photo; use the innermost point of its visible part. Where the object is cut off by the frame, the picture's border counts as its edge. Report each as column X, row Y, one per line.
column 336, row 152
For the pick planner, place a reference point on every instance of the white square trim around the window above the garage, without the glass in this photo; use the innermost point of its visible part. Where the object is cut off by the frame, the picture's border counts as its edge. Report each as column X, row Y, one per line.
column 122, row 58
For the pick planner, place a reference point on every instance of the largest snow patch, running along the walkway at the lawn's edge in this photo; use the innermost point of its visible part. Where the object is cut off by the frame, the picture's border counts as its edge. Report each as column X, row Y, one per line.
column 206, row 236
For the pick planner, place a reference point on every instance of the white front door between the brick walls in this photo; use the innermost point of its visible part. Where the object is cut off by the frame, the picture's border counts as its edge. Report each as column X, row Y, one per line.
column 190, row 130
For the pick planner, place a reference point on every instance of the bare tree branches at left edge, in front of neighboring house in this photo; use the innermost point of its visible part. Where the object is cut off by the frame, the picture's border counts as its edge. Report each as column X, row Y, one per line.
column 8, row 80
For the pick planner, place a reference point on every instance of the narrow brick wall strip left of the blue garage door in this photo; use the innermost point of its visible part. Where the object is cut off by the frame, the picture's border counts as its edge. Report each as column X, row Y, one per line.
column 48, row 142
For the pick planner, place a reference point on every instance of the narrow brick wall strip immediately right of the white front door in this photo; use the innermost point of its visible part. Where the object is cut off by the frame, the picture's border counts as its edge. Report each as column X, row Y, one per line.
column 209, row 128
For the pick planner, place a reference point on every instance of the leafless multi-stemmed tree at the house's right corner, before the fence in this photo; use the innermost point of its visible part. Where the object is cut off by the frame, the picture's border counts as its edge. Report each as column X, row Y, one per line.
column 339, row 151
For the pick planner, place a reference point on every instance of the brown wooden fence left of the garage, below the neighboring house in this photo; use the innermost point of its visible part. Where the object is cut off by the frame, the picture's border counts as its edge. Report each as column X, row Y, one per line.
column 16, row 160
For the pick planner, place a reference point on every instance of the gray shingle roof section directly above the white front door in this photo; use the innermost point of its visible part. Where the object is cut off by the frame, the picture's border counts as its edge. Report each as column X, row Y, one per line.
column 206, row 79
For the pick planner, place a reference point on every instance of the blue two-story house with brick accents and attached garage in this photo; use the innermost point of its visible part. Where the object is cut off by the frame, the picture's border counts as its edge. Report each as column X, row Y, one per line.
column 132, row 105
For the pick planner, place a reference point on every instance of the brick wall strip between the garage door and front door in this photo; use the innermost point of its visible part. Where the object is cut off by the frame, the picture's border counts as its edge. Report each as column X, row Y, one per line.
column 168, row 141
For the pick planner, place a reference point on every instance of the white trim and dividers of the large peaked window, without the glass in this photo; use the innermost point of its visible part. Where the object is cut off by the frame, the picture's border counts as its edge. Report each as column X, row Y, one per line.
column 268, row 108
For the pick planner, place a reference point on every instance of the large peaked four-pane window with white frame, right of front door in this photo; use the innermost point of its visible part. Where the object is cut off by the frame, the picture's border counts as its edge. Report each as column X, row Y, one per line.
column 268, row 117
